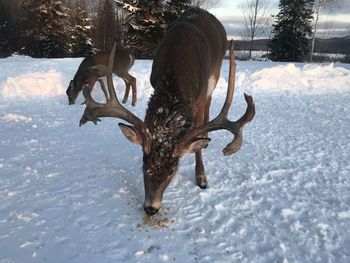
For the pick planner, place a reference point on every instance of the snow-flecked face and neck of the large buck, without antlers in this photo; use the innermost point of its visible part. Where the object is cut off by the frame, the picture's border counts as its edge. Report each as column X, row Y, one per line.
column 160, row 161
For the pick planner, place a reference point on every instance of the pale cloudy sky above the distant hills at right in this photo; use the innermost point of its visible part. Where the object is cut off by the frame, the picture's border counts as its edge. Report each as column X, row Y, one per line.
column 334, row 15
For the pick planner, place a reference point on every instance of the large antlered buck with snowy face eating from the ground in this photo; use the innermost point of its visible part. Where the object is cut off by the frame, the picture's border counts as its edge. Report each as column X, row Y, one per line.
column 185, row 71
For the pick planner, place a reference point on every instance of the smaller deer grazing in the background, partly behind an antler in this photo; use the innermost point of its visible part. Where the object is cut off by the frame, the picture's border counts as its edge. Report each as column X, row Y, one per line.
column 88, row 73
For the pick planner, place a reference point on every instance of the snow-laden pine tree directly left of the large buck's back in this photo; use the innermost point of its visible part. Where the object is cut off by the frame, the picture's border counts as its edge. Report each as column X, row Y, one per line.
column 145, row 25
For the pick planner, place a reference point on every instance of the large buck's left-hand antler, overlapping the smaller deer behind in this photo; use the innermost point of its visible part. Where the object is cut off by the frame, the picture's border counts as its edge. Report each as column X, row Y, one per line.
column 112, row 107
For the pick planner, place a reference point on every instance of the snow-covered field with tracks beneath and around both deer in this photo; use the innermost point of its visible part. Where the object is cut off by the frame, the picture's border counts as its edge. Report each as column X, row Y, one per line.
column 70, row 194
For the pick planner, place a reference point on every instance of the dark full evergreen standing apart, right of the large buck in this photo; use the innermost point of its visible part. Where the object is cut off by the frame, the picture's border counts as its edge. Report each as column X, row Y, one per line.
column 292, row 30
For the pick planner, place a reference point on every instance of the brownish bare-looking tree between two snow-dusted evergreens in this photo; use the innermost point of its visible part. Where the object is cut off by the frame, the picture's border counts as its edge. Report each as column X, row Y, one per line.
column 108, row 26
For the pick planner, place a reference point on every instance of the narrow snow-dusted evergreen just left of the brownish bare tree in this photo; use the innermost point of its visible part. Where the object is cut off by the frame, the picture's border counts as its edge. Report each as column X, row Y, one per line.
column 81, row 43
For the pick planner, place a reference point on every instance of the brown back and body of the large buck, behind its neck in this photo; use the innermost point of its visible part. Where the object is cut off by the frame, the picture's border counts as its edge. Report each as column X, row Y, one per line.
column 190, row 51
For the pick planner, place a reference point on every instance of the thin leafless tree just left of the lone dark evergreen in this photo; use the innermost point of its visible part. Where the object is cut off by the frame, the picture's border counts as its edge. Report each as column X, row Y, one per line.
column 255, row 20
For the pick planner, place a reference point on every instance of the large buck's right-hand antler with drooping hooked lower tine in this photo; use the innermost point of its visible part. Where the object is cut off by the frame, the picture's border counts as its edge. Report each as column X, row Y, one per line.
column 221, row 121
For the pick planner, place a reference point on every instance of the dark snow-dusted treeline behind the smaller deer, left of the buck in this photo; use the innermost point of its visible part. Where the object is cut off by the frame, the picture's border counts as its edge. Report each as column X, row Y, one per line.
column 76, row 28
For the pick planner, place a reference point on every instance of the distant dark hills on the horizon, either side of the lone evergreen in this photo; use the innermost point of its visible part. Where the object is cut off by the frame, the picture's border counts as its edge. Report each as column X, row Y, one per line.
column 336, row 45
